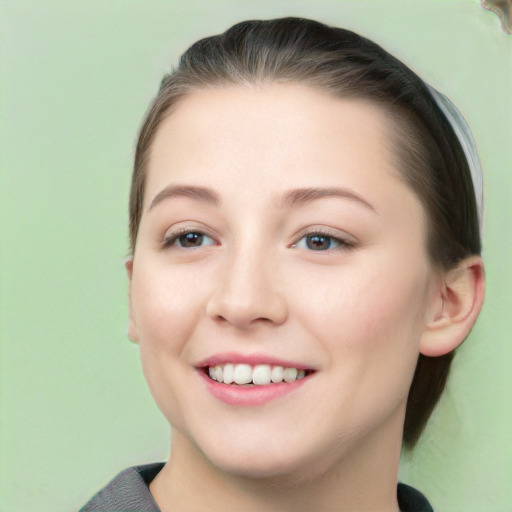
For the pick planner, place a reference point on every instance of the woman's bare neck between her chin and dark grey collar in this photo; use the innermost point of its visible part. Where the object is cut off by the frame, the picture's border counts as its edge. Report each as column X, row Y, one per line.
column 365, row 480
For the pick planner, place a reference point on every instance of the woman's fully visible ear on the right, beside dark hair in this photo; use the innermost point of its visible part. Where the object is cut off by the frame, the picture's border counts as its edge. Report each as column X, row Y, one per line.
column 458, row 302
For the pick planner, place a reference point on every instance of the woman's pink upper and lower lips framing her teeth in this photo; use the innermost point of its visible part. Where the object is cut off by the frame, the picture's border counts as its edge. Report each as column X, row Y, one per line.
column 250, row 395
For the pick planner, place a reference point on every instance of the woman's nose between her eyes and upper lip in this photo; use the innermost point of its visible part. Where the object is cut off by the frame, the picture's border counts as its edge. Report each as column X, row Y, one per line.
column 247, row 293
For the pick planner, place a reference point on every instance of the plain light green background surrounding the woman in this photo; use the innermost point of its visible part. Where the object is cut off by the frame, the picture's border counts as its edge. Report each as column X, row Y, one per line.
column 76, row 78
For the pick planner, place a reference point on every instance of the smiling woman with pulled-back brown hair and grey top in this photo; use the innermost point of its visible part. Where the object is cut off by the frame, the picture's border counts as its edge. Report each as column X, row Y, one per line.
column 305, row 260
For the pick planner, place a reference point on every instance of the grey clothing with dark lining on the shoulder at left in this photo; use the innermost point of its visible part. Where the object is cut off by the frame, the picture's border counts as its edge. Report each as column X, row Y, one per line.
column 129, row 490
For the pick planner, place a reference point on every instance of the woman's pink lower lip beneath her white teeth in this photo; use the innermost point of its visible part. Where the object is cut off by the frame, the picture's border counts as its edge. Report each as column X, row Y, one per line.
column 232, row 394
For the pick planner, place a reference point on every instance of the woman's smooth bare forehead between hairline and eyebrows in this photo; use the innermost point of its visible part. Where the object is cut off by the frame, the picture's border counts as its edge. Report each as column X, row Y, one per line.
column 275, row 137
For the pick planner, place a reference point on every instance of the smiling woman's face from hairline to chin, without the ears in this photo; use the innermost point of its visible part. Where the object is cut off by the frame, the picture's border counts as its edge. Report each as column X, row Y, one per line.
column 276, row 233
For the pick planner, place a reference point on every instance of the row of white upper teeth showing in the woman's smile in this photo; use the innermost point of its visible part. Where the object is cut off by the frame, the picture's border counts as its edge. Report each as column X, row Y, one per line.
column 259, row 375
